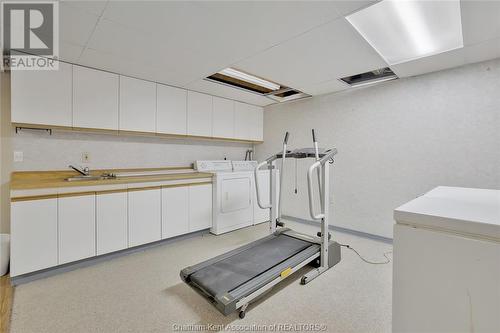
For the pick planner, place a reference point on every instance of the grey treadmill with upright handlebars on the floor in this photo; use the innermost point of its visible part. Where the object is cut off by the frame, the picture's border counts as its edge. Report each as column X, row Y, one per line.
column 231, row 281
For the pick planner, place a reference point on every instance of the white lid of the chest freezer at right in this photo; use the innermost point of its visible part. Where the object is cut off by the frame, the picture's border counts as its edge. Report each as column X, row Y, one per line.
column 461, row 210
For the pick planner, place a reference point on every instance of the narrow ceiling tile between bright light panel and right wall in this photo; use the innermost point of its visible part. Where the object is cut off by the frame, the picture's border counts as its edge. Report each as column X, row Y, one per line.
column 433, row 63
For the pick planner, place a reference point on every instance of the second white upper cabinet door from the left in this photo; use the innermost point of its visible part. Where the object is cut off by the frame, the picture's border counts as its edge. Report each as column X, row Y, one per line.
column 95, row 99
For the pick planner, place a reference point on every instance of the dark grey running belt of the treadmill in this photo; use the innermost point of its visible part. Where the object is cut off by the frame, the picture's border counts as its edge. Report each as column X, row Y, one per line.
column 227, row 274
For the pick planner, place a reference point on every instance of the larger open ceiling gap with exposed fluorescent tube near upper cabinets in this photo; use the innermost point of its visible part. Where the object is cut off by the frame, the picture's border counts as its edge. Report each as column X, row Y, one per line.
column 248, row 82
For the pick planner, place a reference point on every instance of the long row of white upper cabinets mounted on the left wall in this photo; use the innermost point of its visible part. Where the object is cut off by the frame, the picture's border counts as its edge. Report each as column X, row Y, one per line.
column 81, row 97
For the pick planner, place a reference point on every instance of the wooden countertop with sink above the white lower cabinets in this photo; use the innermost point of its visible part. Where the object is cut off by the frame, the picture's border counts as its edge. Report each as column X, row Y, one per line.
column 26, row 180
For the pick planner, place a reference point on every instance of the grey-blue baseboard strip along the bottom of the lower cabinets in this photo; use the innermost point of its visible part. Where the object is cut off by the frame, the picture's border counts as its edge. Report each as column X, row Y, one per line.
column 25, row 278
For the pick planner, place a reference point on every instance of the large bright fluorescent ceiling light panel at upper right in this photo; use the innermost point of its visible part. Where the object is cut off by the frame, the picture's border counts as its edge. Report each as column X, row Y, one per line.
column 404, row 30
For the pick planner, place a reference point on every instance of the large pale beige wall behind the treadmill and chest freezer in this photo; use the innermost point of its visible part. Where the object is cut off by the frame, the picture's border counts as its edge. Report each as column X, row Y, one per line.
column 395, row 140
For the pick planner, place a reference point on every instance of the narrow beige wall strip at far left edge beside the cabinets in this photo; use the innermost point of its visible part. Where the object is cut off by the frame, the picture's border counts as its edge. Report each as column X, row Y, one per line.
column 5, row 152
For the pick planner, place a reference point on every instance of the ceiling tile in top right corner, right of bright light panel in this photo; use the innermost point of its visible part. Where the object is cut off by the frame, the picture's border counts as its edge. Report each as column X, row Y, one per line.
column 480, row 21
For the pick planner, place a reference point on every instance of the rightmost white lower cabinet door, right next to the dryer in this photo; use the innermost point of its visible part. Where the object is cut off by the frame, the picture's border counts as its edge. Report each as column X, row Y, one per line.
column 200, row 207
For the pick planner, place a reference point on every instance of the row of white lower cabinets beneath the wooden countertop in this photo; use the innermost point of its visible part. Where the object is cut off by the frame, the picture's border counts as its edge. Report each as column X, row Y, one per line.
column 56, row 231
